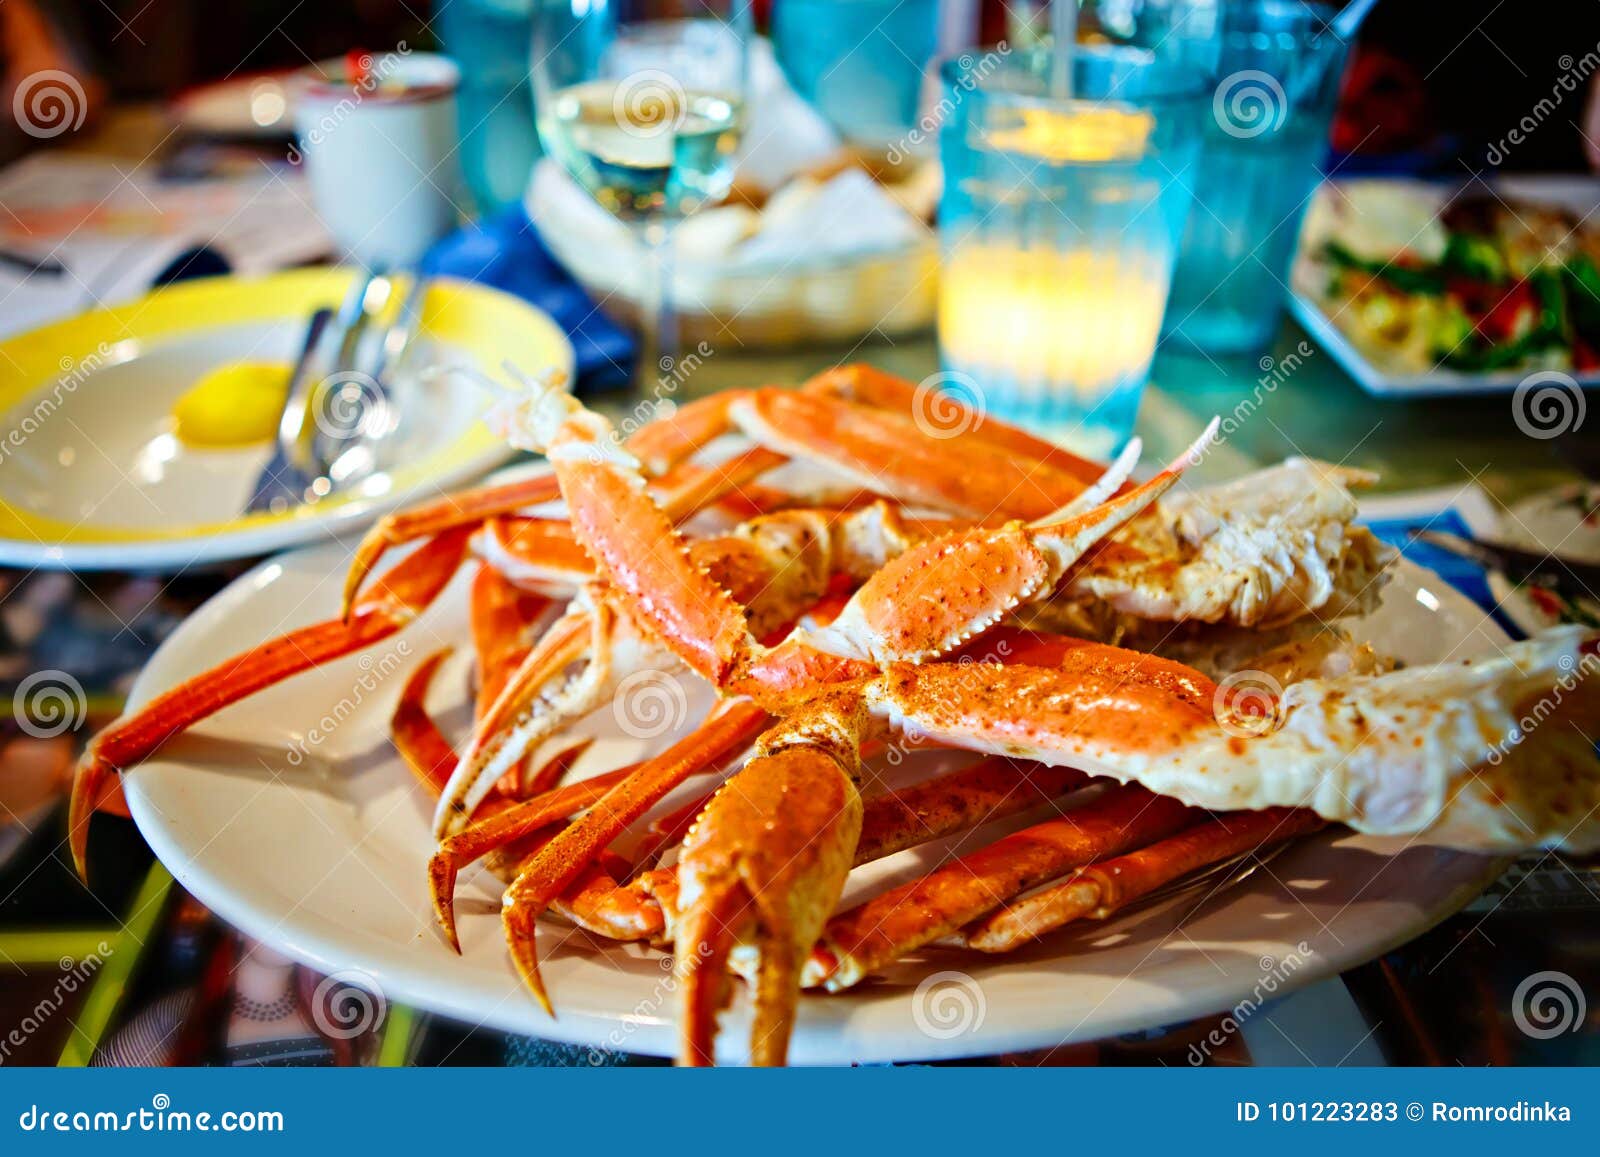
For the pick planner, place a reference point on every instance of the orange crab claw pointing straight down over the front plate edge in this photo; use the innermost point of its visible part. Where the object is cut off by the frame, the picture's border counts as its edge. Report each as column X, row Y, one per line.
column 751, row 884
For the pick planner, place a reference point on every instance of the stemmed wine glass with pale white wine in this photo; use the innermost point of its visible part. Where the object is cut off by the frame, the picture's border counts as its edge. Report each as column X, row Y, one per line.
column 642, row 103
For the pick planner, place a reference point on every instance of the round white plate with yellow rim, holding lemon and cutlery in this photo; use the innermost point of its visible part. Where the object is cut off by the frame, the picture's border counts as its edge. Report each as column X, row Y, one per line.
column 94, row 476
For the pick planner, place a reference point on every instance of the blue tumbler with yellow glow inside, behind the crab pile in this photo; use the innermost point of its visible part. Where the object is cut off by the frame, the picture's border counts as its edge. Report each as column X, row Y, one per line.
column 1058, row 230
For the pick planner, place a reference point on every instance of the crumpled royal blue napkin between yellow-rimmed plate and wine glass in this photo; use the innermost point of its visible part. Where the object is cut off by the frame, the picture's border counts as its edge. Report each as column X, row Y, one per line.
column 506, row 254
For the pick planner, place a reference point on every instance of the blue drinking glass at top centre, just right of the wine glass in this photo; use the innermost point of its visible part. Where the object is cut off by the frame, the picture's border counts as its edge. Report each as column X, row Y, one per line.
column 858, row 62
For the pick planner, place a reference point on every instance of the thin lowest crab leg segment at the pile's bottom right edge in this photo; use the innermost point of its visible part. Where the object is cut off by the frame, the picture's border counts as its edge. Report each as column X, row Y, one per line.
column 1108, row 886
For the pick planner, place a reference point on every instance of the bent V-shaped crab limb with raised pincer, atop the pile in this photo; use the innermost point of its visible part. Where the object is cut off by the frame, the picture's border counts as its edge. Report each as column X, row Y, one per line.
column 639, row 554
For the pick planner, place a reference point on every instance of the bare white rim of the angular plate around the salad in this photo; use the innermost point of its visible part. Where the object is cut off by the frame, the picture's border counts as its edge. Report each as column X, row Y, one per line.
column 1372, row 372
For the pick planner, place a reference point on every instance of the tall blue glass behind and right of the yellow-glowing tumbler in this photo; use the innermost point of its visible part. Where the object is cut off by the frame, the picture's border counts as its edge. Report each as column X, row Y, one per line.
column 1265, row 142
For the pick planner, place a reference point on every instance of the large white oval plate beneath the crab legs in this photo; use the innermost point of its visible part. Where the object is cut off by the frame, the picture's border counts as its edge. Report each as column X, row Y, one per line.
column 322, row 855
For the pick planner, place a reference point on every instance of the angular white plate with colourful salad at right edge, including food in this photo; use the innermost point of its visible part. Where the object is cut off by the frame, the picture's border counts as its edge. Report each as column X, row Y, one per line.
column 1426, row 290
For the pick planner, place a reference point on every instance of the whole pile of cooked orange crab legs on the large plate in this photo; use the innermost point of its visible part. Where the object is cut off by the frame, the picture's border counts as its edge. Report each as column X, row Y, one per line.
column 918, row 590
